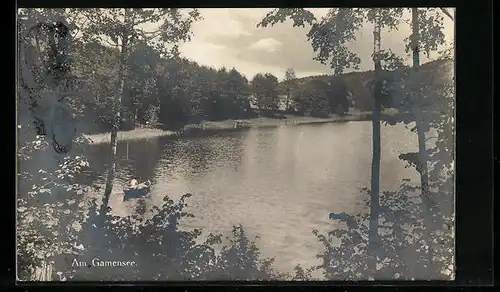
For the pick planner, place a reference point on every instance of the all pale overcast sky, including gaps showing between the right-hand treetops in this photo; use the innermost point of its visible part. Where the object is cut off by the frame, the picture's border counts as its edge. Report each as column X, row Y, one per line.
column 229, row 37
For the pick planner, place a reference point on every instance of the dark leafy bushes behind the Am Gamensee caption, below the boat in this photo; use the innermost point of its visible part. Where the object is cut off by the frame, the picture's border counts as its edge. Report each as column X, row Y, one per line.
column 163, row 251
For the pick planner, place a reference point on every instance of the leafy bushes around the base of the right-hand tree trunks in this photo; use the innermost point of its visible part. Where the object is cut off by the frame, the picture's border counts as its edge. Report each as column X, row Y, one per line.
column 403, row 251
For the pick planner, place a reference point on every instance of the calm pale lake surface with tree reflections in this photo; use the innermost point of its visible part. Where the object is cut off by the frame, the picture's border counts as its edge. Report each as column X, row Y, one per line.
column 280, row 183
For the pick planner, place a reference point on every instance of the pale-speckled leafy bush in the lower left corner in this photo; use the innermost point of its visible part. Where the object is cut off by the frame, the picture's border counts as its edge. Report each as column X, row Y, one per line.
column 43, row 207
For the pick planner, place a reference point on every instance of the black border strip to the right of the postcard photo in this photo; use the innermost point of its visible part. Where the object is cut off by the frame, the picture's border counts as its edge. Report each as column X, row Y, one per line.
column 474, row 147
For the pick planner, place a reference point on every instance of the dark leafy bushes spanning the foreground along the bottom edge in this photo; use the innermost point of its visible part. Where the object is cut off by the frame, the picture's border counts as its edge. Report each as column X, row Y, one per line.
column 163, row 251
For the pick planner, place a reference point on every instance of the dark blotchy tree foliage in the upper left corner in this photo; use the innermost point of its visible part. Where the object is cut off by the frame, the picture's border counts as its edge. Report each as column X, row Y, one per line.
column 45, row 74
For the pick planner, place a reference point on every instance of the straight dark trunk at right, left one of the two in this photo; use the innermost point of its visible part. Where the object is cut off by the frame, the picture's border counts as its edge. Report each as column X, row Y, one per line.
column 374, row 243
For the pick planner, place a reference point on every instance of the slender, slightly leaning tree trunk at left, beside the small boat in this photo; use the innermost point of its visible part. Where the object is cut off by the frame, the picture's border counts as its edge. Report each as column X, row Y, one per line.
column 116, row 120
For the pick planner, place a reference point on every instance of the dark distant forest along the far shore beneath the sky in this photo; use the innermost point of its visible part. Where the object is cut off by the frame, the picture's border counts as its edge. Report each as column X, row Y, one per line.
column 172, row 93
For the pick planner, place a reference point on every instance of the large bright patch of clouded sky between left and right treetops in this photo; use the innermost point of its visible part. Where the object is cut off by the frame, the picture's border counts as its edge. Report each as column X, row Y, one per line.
column 255, row 50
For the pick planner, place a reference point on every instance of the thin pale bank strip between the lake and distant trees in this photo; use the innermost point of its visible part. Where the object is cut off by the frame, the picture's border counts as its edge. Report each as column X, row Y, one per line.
column 226, row 125
